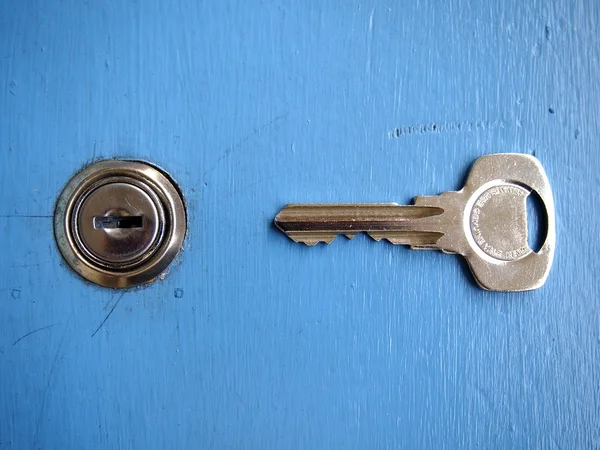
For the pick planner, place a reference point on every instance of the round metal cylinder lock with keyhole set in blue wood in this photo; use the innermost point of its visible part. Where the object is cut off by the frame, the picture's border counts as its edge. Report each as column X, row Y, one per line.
column 120, row 223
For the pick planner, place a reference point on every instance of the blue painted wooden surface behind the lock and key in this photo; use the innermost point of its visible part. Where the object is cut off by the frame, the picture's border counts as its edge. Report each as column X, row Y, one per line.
column 252, row 341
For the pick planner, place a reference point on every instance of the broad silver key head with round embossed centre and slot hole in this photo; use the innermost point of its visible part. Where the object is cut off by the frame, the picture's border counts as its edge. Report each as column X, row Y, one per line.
column 486, row 222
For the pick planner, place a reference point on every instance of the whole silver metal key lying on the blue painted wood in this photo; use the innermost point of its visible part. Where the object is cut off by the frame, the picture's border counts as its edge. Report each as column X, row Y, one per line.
column 485, row 222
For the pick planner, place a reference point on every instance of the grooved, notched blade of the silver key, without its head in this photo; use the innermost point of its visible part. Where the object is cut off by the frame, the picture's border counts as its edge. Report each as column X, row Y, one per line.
column 399, row 224
